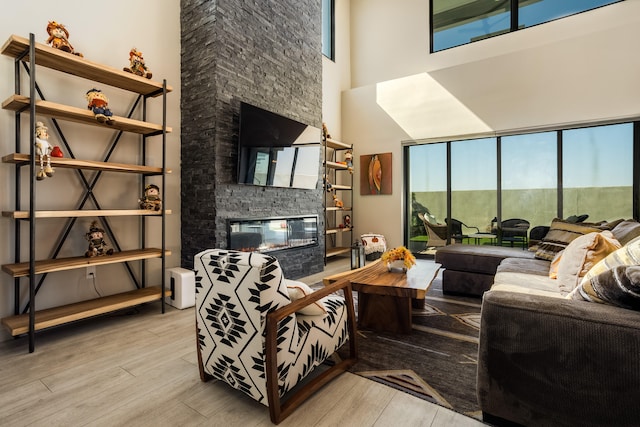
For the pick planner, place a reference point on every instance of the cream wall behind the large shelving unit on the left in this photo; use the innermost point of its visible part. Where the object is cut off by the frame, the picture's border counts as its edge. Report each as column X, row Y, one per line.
column 104, row 33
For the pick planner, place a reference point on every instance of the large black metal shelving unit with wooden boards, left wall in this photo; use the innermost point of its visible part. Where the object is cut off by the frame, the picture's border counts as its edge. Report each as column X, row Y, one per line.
column 29, row 55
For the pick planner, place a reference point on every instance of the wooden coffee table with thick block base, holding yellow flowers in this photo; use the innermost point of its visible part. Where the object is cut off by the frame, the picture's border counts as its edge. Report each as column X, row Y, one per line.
column 385, row 298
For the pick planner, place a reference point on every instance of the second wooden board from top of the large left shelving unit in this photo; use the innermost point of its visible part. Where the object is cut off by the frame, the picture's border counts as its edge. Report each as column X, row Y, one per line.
column 81, row 115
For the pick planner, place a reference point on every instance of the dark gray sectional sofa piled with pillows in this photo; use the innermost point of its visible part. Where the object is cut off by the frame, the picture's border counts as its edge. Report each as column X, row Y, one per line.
column 549, row 354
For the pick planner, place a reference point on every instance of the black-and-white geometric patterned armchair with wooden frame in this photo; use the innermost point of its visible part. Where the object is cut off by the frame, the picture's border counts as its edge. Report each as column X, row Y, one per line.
column 252, row 336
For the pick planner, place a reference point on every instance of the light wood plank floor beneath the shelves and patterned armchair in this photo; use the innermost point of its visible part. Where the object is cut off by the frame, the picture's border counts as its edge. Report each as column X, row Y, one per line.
column 138, row 368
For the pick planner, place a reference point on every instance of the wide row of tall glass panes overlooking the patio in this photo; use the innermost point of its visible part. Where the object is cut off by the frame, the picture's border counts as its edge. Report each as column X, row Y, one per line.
column 534, row 176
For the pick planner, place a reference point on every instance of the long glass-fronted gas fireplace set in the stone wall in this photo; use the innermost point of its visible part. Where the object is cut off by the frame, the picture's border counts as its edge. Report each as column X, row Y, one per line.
column 273, row 234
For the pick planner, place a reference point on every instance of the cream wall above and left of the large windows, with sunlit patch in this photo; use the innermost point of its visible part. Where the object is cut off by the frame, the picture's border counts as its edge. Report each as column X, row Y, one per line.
column 578, row 69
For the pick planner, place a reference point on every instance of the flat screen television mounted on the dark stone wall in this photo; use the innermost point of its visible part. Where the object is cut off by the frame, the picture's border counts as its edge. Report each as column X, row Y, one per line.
column 277, row 151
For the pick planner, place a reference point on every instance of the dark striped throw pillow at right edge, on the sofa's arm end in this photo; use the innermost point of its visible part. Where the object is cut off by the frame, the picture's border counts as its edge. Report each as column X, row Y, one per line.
column 619, row 286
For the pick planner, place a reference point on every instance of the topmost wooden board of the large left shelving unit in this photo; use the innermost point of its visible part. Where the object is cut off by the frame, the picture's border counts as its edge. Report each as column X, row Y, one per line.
column 56, row 59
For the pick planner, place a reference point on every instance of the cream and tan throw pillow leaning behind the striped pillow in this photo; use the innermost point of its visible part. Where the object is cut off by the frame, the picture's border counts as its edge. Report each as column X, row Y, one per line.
column 581, row 255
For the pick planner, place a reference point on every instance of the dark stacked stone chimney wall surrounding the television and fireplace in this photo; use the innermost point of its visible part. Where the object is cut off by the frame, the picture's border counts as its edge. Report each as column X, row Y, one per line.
column 266, row 53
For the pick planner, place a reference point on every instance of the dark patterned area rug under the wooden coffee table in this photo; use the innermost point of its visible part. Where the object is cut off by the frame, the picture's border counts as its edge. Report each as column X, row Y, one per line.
column 437, row 361
